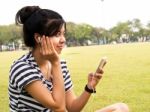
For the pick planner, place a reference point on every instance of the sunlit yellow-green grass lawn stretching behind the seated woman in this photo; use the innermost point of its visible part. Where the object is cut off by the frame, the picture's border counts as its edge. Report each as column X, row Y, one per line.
column 126, row 78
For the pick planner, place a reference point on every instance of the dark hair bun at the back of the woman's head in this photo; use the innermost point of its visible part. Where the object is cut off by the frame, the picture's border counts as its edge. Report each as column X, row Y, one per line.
column 24, row 13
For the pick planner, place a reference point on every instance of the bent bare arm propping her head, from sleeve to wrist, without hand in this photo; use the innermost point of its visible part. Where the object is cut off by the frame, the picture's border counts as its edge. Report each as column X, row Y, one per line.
column 50, row 100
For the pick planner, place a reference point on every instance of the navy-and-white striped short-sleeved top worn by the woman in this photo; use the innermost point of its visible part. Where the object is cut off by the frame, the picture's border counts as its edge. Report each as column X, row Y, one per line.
column 24, row 71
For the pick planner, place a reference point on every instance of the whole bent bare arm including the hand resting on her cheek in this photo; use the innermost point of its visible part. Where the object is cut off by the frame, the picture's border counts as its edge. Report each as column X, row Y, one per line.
column 56, row 99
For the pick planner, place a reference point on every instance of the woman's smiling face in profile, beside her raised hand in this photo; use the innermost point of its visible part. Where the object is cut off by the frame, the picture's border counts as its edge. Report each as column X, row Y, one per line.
column 59, row 40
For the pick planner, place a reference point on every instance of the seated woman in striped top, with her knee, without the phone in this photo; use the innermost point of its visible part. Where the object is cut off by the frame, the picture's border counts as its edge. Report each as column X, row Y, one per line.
column 39, row 80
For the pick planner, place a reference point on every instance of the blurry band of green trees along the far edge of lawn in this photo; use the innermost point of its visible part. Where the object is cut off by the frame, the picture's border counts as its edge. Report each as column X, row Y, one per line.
column 80, row 34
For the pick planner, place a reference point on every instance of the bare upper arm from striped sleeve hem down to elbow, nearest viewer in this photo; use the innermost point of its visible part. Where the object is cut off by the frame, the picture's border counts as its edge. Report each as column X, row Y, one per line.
column 38, row 91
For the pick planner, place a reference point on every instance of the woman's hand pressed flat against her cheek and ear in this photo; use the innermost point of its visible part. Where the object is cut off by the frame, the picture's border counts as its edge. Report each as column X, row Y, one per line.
column 48, row 51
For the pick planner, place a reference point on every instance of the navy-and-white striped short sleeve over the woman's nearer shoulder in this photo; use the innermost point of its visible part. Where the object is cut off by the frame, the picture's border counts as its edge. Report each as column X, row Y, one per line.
column 22, row 71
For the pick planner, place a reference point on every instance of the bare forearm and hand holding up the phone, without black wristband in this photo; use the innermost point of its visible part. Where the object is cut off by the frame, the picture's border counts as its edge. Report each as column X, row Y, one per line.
column 76, row 104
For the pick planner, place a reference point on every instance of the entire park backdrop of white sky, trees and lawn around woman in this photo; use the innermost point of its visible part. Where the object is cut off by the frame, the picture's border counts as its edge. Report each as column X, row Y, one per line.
column 118, row 29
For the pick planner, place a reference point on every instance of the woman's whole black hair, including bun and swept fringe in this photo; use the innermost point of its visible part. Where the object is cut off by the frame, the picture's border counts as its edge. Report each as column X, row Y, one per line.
column 36, row 20
